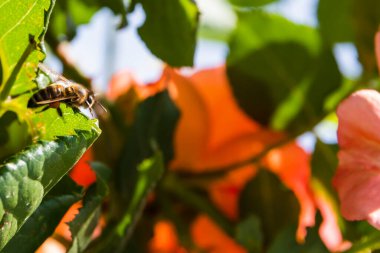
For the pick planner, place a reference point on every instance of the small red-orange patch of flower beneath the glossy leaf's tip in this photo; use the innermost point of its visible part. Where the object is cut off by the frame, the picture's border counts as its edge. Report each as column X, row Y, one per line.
column 82, row 173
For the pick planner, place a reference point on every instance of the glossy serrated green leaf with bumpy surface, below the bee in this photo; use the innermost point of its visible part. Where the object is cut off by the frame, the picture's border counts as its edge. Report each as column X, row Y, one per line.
column 29, row 175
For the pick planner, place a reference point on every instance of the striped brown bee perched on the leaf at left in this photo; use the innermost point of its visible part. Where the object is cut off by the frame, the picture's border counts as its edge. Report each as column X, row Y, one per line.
column 65, row 91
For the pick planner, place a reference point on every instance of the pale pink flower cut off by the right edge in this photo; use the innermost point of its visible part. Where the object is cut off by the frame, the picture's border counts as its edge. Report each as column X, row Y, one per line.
column 357, row 179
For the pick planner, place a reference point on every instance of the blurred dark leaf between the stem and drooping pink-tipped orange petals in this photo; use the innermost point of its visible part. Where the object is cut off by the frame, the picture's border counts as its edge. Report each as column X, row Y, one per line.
column 268, row 199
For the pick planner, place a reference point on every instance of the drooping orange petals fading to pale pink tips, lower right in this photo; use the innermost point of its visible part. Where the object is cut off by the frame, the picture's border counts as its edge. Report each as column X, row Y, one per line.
column 292, row 164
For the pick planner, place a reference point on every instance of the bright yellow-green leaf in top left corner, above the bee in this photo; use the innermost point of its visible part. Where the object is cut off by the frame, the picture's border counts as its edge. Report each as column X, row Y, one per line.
column 23, row 24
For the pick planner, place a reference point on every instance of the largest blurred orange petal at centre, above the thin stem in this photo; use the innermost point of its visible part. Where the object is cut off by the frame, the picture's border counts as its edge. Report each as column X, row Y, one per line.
column 212, row 130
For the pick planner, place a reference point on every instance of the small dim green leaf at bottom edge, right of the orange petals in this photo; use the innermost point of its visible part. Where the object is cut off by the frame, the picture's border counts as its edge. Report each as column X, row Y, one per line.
column 248, row 234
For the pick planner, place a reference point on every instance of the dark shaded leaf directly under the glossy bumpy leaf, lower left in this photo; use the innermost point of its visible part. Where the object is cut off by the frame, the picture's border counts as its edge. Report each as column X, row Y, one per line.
column 46, row 218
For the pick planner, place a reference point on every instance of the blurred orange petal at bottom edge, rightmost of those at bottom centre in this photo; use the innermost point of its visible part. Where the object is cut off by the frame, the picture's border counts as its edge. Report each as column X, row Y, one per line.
column 210, row 238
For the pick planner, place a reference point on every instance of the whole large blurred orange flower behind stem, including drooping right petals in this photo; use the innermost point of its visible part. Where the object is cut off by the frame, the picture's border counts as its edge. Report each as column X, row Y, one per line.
column 213, row 132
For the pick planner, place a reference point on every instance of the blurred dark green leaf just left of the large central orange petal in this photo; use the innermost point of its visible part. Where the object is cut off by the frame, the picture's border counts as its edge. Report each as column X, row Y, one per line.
column 154, row 122
